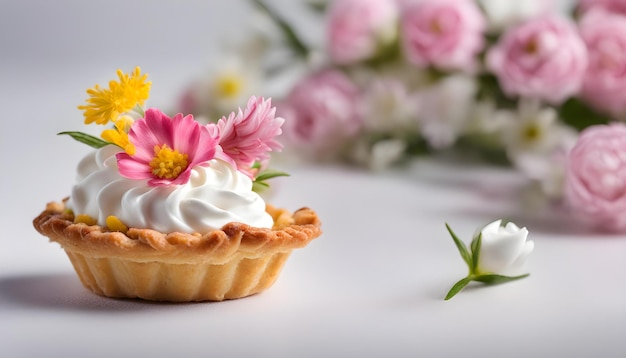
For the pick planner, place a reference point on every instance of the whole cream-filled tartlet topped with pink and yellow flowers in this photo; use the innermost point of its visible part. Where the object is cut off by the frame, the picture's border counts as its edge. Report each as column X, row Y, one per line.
column 167, row 209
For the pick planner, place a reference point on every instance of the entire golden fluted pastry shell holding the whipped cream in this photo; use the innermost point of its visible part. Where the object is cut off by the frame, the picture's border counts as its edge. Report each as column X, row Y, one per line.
column 237, row 261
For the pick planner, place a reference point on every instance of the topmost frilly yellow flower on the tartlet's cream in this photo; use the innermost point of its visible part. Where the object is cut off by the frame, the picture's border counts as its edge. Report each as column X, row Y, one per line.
column 107, row 104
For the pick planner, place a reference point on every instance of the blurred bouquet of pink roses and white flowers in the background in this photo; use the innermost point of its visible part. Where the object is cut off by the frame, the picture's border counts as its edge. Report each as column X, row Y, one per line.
column 510, row 82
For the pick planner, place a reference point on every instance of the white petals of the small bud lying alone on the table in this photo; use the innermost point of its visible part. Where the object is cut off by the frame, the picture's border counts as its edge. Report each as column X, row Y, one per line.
column 504, row 249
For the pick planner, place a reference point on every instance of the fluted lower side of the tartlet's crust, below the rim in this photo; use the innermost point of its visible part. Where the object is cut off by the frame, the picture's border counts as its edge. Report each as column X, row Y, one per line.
column 157, row 281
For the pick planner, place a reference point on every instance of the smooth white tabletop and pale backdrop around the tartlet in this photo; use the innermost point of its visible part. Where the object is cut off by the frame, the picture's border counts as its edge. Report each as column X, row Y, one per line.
column 371, row 286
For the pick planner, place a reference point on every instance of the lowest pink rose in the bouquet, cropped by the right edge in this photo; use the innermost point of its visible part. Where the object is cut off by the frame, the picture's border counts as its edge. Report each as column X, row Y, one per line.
column 595, row 182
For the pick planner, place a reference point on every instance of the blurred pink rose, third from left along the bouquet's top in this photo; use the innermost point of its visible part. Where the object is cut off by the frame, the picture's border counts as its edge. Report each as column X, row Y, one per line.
column 543, row 58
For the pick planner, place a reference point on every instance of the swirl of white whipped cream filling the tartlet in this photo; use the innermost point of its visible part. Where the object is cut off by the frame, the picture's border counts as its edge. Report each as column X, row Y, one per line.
column 215, row 195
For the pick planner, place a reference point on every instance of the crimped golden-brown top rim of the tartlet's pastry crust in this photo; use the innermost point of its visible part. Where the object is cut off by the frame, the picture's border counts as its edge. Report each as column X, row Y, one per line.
column 216, row 247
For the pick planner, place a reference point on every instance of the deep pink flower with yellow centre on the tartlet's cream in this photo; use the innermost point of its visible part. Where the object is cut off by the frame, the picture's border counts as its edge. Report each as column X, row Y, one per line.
column 166, row 149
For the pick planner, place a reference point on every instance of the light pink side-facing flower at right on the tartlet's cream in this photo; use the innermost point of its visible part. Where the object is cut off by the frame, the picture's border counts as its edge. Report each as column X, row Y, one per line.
column 247, row 136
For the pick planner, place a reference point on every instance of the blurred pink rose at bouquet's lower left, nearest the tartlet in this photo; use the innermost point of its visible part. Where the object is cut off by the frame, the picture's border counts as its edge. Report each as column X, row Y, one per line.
column 321, row 112
